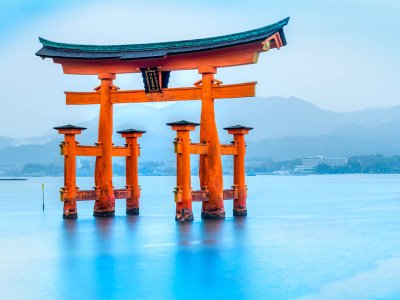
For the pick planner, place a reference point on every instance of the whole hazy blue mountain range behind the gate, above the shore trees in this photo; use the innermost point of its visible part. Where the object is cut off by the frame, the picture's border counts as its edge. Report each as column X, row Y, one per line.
column 284, row 128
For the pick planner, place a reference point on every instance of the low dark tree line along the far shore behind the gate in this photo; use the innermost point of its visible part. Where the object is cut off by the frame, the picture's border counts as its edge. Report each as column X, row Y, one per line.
column 367, row 164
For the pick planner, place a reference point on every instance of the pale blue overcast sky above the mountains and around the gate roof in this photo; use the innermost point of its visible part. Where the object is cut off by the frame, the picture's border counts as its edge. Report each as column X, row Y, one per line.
column 341, row 55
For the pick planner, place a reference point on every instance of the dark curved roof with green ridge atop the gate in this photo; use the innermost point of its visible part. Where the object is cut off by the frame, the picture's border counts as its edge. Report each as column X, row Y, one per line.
column 153, row 50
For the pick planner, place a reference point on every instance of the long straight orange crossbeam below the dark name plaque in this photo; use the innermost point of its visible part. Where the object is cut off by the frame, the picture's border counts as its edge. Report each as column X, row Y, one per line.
column 240, row 90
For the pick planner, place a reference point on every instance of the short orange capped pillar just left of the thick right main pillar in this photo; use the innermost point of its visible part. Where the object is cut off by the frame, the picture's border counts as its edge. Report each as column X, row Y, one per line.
column 183, row 190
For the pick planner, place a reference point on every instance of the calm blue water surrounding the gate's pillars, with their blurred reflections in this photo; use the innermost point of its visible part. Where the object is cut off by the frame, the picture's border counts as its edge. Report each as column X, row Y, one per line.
column 314, row 237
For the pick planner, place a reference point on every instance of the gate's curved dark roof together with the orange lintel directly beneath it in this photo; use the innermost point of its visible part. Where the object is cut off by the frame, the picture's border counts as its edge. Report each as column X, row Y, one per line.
column 92, row 59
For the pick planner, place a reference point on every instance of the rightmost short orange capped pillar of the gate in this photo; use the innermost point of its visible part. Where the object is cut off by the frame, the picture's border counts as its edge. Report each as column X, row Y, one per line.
column 239, row 173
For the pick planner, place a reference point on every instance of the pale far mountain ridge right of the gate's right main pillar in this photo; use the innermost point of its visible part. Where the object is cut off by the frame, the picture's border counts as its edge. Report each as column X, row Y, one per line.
column 285, row 117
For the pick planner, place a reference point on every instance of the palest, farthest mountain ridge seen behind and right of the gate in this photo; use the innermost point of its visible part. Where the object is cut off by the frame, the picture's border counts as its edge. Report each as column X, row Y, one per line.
column 273, row 117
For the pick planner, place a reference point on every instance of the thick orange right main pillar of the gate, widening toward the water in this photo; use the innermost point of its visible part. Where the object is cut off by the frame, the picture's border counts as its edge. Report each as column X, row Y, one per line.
column 210, row 164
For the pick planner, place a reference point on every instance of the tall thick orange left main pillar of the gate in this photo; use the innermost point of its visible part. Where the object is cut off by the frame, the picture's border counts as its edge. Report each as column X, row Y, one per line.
column 105, row 205
